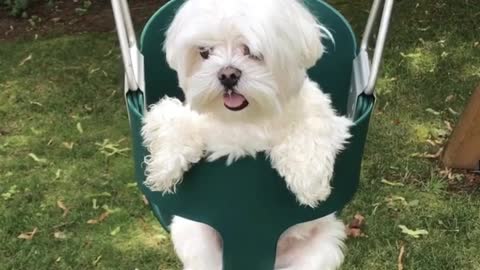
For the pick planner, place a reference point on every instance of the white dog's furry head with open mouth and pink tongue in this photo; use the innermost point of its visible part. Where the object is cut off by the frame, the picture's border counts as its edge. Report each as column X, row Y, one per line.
column 242, row 58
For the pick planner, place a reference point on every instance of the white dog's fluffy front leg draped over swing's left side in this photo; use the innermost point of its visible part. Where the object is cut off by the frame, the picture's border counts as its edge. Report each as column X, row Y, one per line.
column 171, row 135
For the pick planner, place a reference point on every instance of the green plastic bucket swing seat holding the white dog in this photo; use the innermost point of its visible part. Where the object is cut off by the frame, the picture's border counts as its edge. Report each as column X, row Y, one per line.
column 247, row 202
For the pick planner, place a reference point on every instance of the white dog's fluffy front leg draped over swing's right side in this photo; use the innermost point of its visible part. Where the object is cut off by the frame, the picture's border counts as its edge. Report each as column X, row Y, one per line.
column 306, row 155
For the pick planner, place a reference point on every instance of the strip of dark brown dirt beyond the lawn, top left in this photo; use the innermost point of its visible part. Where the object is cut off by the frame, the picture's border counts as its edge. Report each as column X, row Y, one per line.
column 65, row 18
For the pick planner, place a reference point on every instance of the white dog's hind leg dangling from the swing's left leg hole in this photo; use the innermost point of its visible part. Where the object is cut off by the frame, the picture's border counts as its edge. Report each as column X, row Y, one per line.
column 197, row 245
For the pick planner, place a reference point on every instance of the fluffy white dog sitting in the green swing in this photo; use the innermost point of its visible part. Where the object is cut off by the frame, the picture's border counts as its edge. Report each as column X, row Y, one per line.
column 242, row 66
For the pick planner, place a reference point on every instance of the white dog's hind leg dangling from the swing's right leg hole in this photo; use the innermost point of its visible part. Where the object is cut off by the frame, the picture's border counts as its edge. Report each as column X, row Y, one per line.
column 316, row 245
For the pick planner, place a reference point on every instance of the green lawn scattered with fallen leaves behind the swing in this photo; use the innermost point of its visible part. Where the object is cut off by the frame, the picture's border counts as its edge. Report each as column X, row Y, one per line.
column 60, row 100
